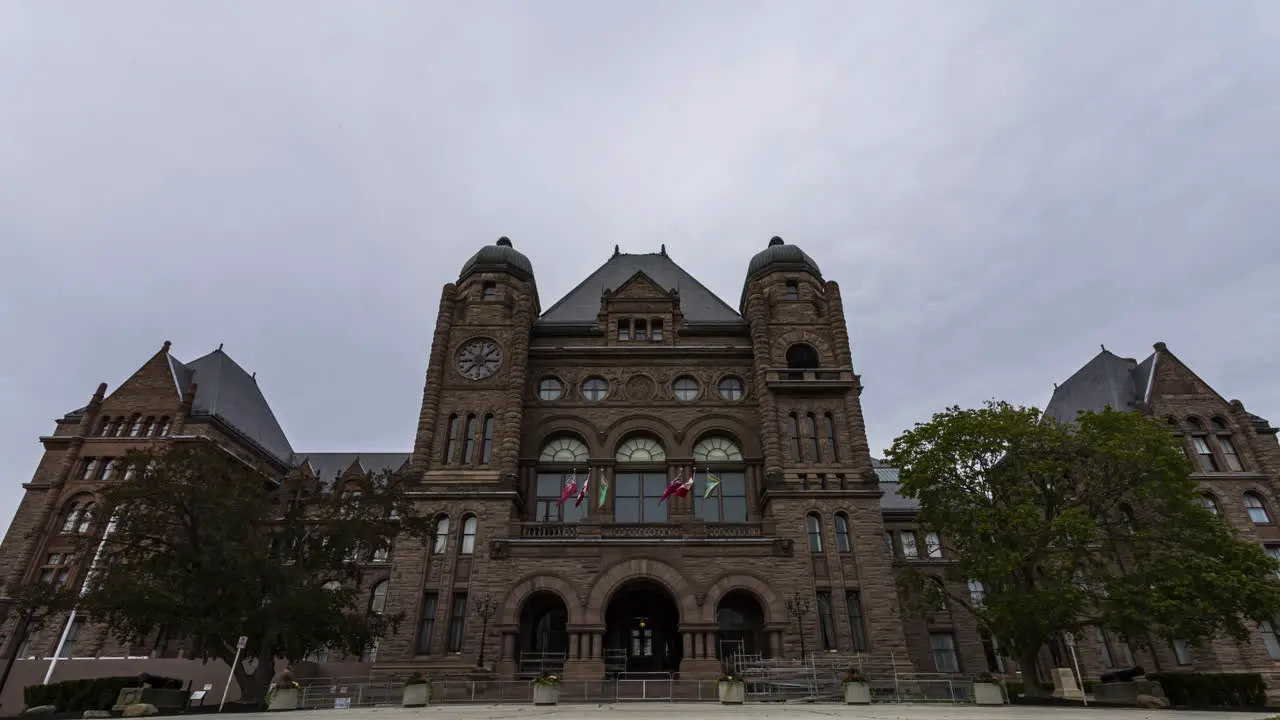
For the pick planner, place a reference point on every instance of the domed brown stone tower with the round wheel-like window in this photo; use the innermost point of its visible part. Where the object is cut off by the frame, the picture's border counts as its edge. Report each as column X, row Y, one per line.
column 469, row 429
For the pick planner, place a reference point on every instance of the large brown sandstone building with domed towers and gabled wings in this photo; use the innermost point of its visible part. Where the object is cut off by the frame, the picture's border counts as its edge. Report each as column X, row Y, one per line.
column 638, row 377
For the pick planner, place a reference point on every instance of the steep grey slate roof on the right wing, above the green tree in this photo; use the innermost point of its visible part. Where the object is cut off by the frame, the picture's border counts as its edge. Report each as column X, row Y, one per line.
column 1103, row 382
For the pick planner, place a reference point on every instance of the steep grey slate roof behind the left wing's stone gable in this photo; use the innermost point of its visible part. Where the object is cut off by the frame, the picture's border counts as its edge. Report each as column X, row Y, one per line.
column 232, row 395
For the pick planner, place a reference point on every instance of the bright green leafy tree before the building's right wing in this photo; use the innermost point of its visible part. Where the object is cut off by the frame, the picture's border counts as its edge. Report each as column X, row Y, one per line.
column 1078, row 526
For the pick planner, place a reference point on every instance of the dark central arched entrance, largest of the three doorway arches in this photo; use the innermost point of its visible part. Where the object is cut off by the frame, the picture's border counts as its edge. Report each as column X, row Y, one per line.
column 642, row 631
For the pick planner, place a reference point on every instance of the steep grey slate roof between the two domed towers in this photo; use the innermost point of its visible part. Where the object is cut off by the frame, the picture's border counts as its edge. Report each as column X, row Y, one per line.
column 583, row 304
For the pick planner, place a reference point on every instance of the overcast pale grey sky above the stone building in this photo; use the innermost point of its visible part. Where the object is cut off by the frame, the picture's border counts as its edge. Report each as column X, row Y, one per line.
column 999, row 188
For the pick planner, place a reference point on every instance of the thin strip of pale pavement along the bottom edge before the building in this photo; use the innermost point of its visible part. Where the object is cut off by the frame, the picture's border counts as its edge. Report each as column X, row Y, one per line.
column 798, row 712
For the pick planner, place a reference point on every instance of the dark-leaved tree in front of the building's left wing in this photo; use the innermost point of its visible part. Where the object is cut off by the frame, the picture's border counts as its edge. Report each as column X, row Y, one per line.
column 205, row 548
